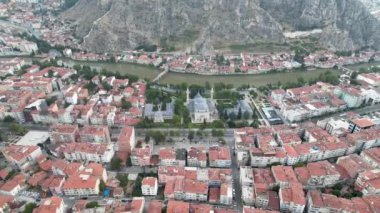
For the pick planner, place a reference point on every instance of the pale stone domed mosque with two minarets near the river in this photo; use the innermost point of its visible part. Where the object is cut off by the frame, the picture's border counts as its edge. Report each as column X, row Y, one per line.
column 202, row 109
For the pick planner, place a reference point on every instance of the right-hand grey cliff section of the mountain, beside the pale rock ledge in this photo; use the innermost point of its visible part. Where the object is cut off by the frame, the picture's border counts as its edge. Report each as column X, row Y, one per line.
column 346, row 24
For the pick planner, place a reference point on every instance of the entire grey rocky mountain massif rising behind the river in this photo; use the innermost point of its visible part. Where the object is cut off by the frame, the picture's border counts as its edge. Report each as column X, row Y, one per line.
column 117, row 25
